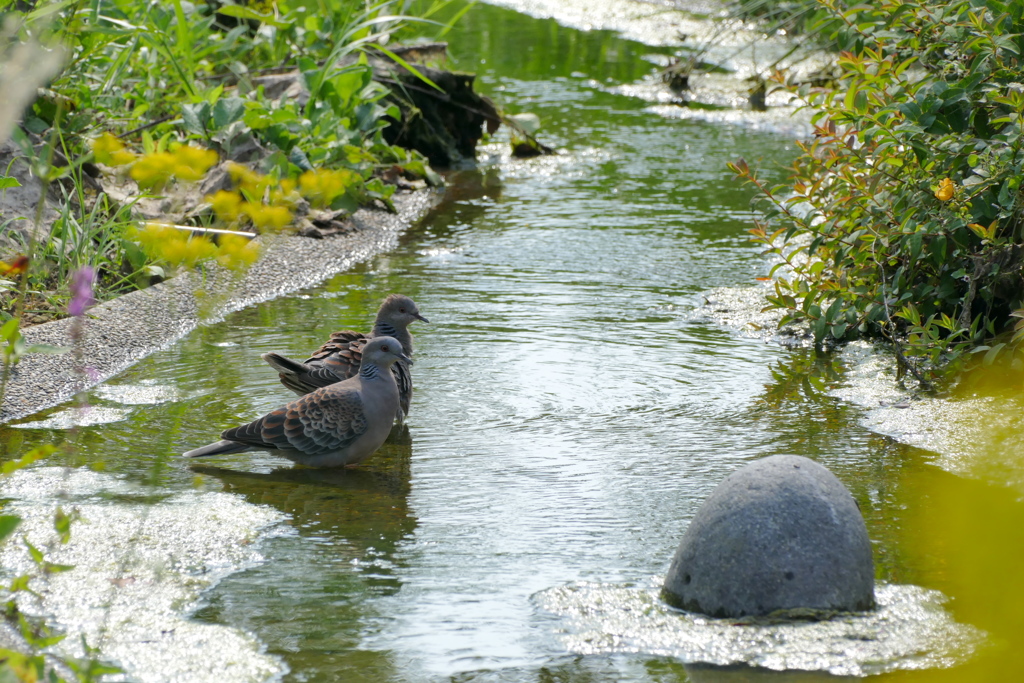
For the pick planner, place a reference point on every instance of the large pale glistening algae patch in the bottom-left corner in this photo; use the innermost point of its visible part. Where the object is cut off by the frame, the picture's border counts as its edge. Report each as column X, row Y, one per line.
column 140, row 570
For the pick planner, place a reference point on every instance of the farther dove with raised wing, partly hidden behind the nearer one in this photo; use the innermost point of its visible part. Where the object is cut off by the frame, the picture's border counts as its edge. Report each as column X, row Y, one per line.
column 339, row 358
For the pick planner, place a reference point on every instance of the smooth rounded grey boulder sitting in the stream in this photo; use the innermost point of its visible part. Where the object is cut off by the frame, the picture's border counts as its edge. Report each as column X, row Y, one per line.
column 780, row 534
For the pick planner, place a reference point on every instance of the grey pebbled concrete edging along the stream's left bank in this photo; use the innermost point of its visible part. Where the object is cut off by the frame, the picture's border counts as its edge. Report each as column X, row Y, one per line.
column 118, row 333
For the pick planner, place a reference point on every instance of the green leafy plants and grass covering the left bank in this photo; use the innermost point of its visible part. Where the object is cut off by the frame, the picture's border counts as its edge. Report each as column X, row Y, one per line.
column 142, row 80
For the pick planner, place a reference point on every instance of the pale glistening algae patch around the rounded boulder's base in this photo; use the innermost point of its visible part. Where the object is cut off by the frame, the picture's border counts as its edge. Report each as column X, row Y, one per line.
column 909, row 631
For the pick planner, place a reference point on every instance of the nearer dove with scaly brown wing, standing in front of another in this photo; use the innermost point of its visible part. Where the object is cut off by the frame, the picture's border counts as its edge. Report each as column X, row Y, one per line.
column 339, row 425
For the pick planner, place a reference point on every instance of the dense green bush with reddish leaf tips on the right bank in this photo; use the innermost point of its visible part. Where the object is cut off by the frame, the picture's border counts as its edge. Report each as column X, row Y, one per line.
column 904, row 219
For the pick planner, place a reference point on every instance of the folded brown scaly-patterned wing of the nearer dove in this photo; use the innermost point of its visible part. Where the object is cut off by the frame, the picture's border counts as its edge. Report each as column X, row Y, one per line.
column 325, row 421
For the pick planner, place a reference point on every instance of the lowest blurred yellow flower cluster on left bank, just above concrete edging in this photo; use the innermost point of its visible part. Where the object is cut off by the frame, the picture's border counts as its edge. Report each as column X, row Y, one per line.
column 181, row 248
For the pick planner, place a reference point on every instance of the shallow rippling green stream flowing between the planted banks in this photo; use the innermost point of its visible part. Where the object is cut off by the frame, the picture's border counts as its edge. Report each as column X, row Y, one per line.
column 574, row 407
